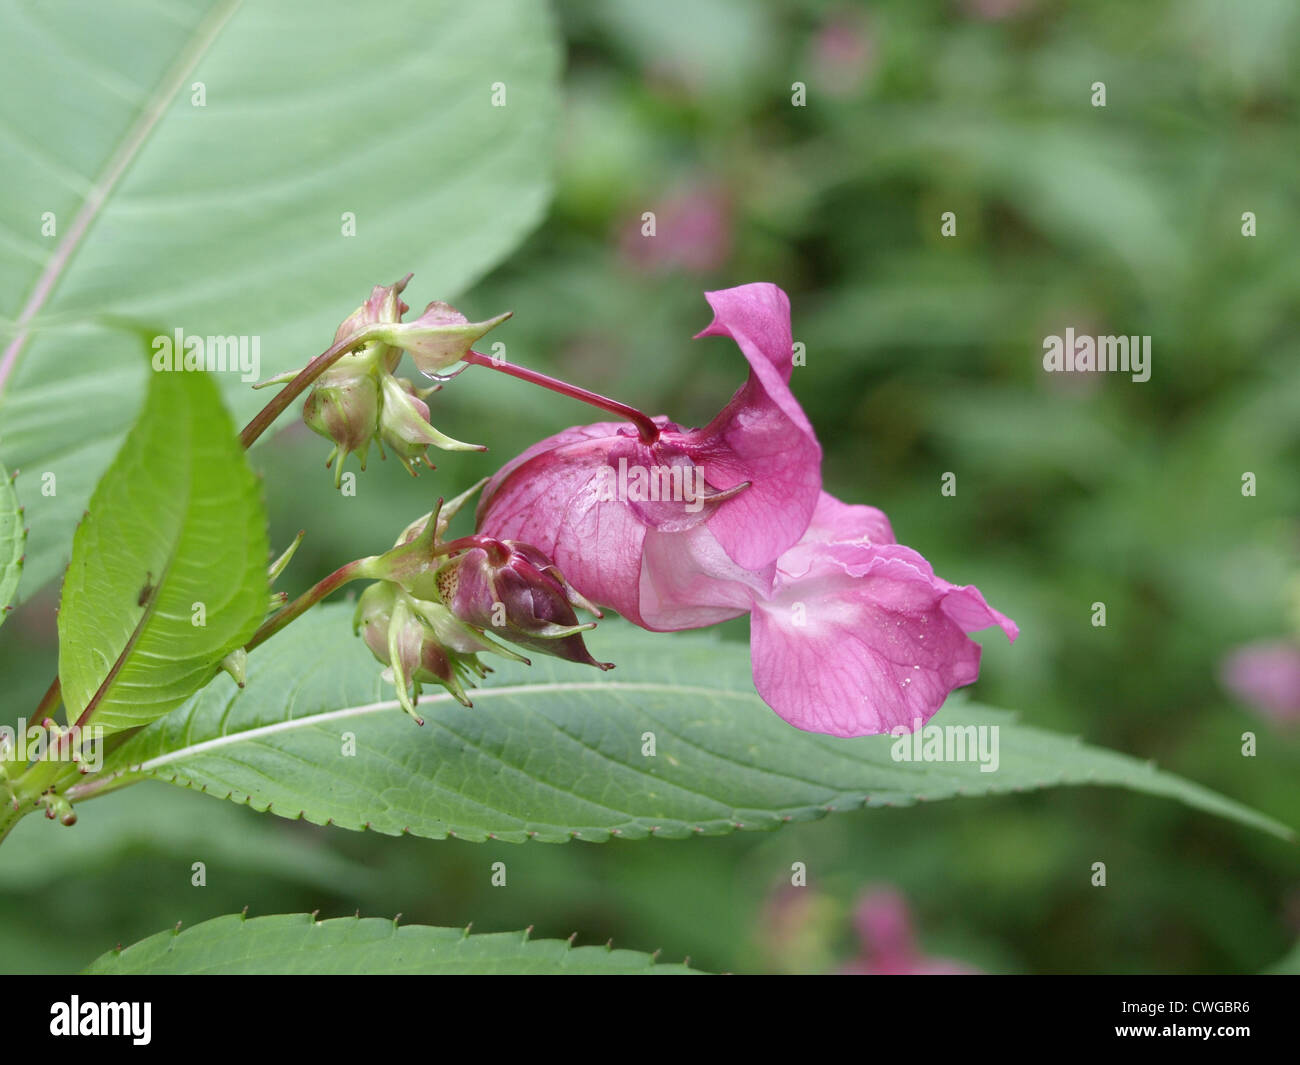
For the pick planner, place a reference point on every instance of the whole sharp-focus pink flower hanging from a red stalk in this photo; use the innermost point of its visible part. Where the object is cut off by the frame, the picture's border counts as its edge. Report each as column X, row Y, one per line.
column 851, row 633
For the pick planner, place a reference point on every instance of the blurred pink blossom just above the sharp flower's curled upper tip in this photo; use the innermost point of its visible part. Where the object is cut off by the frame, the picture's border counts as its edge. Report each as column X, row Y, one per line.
column 694, row 233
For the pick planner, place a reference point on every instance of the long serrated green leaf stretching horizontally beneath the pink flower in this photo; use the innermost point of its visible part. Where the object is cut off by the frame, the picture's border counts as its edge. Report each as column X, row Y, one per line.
column 556, row 752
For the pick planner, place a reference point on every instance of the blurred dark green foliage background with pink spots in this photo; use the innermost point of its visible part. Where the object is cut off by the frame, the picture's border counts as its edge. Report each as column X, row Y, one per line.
column 924, row 356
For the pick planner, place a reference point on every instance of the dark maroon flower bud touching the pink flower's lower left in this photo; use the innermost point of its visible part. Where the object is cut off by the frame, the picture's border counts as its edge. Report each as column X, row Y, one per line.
column 514, row 591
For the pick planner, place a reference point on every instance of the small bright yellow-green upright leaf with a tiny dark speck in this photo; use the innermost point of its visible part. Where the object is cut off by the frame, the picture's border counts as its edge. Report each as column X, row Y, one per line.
column 176, row 534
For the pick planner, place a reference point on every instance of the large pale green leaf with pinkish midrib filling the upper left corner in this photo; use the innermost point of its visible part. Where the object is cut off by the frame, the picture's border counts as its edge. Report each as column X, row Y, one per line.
column 227, row 220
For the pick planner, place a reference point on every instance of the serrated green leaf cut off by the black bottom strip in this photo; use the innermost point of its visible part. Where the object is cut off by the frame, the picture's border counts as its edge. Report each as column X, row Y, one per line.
column 300, row 945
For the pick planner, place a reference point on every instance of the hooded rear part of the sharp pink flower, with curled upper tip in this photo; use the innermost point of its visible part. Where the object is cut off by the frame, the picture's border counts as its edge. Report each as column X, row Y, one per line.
column 605, row 504
